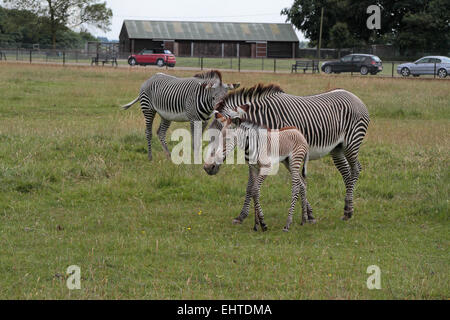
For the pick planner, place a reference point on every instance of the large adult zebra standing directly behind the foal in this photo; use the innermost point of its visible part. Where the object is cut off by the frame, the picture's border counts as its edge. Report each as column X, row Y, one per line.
column 333, row 122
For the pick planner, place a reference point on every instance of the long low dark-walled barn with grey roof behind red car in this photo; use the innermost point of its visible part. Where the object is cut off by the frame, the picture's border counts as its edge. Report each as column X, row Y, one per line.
column 210, row 39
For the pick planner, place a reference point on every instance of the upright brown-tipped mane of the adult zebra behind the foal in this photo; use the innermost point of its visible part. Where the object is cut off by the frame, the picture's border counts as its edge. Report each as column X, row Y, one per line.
column 245, row 95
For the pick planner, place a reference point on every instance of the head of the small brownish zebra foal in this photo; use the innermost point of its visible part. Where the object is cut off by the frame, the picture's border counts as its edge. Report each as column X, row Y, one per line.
column 226, row 139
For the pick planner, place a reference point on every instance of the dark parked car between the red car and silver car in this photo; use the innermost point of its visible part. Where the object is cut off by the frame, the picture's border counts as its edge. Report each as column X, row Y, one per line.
column 362, row 63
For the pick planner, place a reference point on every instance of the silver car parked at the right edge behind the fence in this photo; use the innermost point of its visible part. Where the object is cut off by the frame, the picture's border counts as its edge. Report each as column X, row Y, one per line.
column 426, row 65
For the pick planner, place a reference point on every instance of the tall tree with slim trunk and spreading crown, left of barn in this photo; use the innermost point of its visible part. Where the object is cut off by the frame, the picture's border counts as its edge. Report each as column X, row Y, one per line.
column 63, row 14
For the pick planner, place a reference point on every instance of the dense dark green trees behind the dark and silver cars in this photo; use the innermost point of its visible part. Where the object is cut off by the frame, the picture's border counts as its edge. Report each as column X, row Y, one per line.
column 412, row 26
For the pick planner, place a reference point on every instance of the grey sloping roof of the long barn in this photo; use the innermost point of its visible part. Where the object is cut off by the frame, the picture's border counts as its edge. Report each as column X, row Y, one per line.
column 221, row 31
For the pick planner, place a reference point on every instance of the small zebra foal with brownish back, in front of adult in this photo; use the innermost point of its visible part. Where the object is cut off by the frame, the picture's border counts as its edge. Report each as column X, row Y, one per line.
column 264, row 148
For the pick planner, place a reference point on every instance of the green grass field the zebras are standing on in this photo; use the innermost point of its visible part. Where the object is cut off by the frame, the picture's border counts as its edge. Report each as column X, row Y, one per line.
column 76, row 188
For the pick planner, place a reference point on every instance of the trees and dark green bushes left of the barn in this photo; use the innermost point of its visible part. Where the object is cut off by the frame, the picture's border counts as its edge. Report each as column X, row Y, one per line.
column 50, row 23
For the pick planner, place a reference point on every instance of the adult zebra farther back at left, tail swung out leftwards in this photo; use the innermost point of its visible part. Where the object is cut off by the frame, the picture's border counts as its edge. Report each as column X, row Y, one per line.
column 181, row 100
